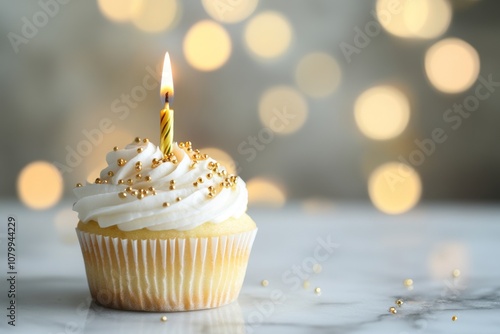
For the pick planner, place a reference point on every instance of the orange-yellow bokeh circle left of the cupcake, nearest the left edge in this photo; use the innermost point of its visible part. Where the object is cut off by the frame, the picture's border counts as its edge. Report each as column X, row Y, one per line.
column 39, row 185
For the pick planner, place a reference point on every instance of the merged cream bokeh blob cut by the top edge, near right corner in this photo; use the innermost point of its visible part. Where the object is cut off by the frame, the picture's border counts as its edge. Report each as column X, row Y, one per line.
column 415, row 19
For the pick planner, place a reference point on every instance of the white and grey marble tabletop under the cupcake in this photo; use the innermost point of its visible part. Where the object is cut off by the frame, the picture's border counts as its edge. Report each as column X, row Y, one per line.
column 357, row 256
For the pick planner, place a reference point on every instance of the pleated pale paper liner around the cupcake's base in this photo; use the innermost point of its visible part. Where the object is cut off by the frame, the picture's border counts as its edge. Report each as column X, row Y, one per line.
column 165, row 274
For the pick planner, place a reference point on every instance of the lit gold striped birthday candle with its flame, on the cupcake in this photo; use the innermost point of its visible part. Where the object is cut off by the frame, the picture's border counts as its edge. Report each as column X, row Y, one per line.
column 166, row 114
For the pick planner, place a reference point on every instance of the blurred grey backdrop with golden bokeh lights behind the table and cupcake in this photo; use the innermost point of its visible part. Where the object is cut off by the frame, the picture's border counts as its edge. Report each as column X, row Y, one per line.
column 391, row 101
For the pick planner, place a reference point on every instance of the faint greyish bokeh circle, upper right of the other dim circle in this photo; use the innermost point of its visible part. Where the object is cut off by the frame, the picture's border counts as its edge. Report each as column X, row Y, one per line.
column 318, row 74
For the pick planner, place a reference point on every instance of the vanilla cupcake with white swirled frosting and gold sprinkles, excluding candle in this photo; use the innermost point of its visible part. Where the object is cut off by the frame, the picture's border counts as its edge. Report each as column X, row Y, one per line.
column 164, row 232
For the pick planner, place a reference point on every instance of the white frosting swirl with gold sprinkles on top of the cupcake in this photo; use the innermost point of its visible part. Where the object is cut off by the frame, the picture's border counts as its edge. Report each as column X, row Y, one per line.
column 108, row 201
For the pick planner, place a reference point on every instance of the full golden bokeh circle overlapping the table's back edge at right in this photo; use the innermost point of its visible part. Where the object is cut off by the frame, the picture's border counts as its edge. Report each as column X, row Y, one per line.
column 394, row 188
